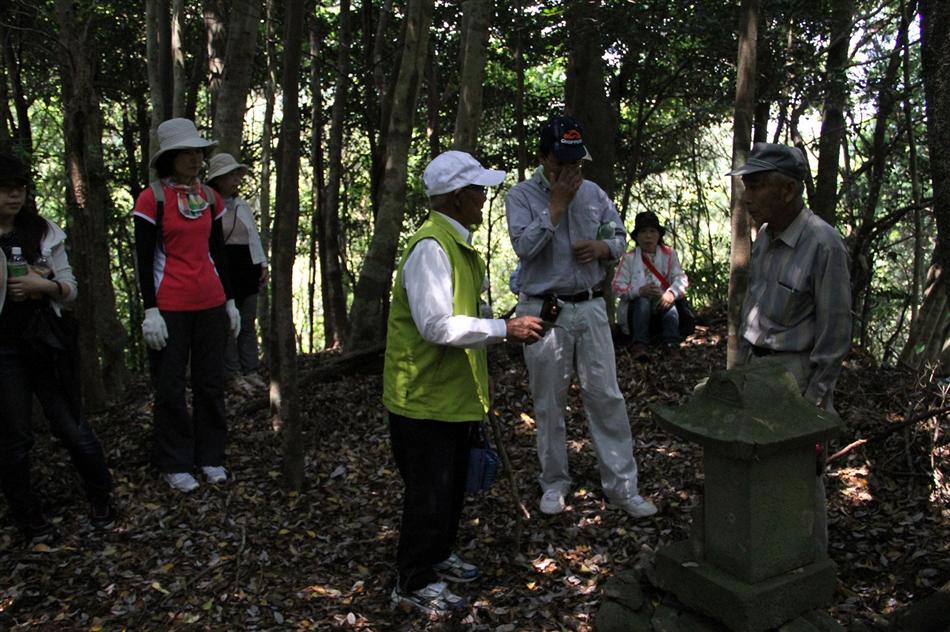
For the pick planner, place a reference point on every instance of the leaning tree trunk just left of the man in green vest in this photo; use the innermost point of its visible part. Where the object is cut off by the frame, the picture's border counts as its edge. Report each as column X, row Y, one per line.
column 368, row 315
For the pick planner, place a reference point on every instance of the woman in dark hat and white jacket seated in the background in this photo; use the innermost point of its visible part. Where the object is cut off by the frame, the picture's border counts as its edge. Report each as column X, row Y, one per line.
column 648, row 281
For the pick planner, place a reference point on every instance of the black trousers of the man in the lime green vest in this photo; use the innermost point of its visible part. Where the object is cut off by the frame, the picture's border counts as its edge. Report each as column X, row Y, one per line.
column 432, row 457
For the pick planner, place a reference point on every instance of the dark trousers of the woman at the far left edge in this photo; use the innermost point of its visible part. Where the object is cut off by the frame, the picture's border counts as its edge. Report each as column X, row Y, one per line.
column 23, row 373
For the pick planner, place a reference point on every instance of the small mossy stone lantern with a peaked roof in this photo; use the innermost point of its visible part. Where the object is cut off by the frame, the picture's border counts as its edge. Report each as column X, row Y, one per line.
column 752, row 560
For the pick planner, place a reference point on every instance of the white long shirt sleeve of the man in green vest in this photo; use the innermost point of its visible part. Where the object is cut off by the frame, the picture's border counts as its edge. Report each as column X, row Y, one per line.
column 427, row 277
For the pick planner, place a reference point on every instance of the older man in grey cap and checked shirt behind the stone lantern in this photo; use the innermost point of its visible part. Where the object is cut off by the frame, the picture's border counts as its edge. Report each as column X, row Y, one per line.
column 797, row 310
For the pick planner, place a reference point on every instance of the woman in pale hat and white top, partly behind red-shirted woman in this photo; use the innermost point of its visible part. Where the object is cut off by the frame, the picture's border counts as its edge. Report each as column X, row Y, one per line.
column 247, row 266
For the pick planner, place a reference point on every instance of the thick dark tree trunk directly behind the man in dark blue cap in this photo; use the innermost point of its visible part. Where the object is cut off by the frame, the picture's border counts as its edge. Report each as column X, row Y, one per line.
column 585, row 92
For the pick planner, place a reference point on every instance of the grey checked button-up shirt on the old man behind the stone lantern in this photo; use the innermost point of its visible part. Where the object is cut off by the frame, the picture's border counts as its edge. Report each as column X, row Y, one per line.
column 799, row 298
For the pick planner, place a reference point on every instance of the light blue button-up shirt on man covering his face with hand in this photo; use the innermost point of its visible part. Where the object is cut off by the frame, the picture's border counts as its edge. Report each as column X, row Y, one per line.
column 547, row 262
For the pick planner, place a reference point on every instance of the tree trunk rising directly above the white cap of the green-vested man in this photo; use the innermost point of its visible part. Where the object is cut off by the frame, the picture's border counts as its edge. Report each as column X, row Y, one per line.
column 476, row 18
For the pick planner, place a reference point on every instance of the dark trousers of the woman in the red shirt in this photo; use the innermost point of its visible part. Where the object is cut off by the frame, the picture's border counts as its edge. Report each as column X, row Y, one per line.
column 184, row 440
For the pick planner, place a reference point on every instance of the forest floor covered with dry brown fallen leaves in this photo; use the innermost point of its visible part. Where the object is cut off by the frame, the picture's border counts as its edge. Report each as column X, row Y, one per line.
column 248, row 555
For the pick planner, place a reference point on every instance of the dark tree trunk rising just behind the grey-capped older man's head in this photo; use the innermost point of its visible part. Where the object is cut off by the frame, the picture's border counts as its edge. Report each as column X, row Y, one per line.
column 832, row 124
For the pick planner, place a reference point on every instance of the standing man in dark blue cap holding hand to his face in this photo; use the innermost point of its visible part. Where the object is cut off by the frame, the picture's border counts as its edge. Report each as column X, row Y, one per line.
column 565, row 230
